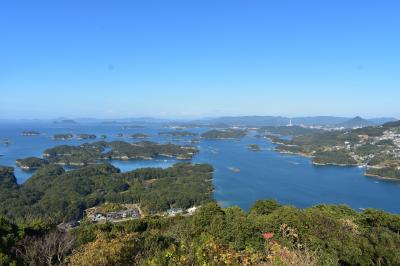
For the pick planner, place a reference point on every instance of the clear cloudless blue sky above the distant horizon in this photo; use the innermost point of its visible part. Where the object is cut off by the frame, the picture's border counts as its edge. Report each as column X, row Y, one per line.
column 114, row 58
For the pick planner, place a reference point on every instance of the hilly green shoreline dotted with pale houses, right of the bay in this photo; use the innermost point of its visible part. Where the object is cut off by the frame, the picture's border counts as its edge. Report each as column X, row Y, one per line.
column 375, row 147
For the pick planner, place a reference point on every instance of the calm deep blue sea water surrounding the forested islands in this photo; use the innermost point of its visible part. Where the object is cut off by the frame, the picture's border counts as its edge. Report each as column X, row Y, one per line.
column 264, row 174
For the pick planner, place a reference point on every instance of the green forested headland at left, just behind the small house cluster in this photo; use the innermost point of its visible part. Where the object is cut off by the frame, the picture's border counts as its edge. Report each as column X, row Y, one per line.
column 55, row 195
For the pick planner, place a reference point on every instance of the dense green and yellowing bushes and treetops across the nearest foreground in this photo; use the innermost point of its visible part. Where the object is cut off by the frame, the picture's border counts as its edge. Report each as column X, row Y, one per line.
column 269, row 234
